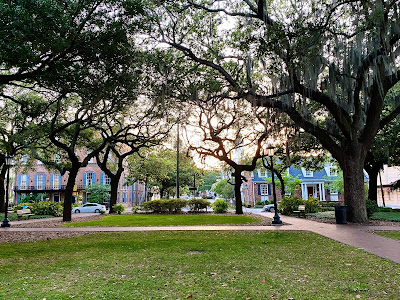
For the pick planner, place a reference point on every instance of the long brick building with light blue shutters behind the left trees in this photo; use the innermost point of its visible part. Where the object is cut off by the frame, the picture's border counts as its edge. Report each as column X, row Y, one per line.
column 38, row 180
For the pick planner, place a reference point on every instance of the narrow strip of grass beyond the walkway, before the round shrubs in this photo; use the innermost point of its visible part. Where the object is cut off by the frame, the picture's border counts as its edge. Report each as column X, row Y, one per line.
column 166, row 220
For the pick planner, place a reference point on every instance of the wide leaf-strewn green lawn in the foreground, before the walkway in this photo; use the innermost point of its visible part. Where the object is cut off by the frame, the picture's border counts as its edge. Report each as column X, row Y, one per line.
column 199, row 265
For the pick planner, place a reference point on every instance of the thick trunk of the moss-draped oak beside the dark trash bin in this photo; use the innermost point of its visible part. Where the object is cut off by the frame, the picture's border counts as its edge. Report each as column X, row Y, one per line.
column 354, row 195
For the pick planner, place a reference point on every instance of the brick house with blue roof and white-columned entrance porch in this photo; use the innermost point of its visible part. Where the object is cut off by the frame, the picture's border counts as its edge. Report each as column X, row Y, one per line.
column 314, row 184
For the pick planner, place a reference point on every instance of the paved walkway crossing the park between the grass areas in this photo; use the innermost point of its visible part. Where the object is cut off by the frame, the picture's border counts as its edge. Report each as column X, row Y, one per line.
column 353, row 235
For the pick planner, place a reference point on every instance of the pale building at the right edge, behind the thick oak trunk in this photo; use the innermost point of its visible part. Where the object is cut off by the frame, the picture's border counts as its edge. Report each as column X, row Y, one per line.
column 391, row 197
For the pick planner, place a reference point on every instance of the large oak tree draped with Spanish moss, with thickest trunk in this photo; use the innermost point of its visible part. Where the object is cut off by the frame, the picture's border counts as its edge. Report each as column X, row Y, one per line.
column 327, row 64
